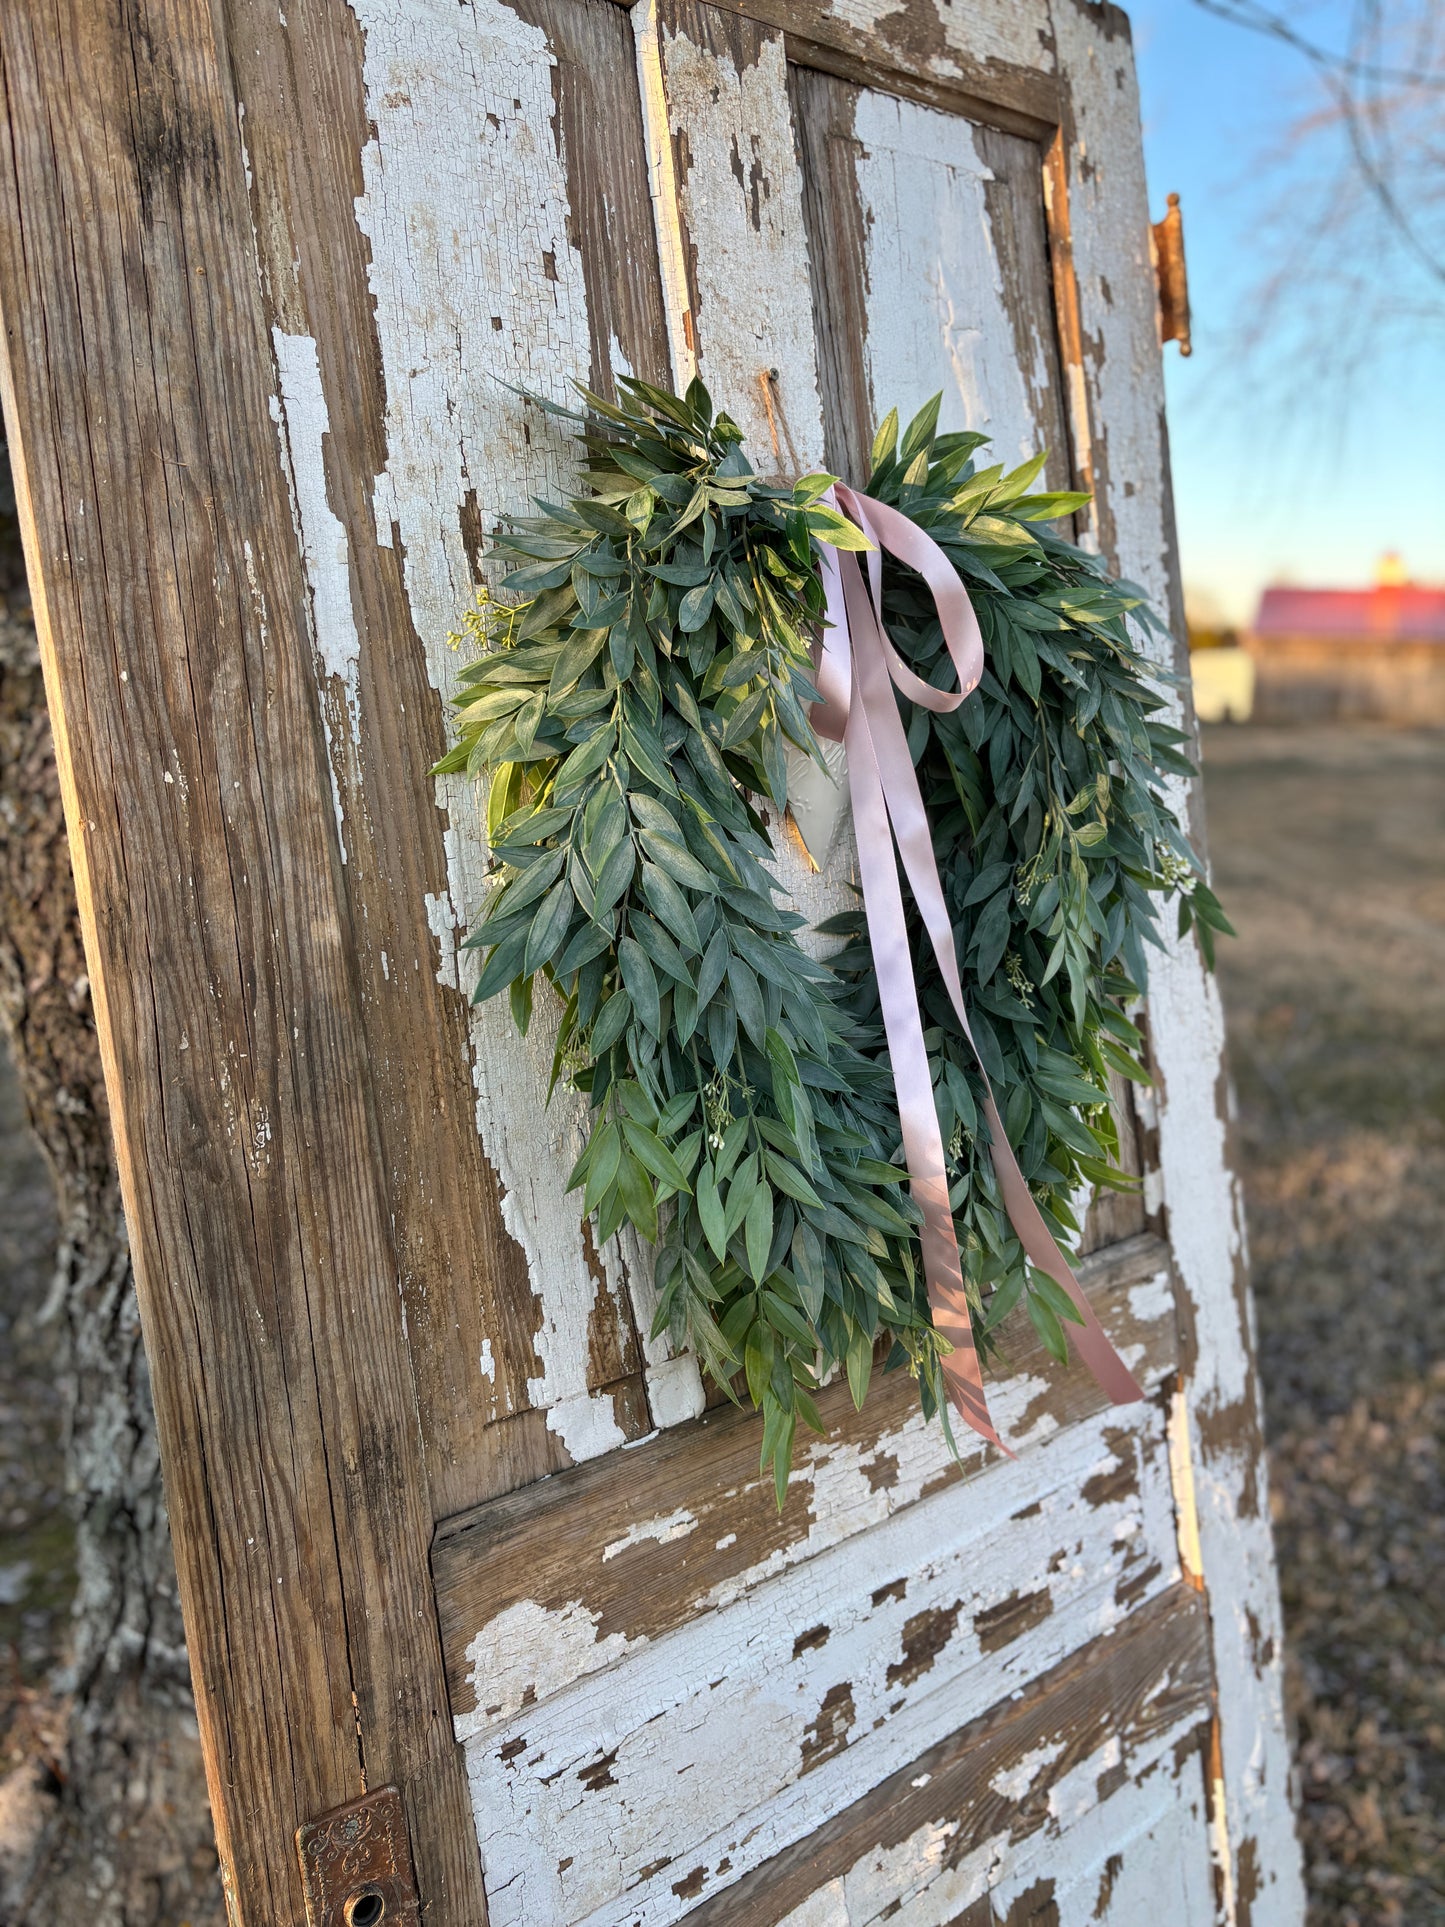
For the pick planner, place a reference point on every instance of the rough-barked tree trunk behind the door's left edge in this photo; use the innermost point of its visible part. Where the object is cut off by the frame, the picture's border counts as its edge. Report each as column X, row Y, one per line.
column 115, row 1830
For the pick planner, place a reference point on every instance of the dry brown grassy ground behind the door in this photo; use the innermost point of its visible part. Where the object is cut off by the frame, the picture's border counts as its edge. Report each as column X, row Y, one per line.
column 1330, row 857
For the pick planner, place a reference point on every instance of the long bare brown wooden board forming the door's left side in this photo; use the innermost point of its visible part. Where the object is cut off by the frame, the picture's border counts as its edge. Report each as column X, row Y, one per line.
column 172, row 610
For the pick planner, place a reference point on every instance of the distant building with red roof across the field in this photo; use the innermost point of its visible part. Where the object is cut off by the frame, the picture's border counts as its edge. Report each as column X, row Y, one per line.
column 1352, row 656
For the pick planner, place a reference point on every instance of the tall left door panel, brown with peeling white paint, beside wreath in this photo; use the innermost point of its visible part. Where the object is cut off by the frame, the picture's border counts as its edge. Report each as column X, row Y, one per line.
column 373, row 234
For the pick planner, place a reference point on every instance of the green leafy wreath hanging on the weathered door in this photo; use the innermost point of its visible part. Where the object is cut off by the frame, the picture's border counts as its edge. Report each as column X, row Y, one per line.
column 633, row 702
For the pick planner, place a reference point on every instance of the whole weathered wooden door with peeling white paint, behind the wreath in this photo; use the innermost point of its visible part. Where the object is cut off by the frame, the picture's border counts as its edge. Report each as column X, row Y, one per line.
column 444, row 1518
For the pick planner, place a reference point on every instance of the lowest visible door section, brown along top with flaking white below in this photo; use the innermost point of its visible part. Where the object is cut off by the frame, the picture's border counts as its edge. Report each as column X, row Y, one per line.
column 999, row 1803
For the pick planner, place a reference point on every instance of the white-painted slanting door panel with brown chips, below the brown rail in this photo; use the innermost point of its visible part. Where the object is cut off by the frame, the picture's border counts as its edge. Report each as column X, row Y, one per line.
column 727, row 1741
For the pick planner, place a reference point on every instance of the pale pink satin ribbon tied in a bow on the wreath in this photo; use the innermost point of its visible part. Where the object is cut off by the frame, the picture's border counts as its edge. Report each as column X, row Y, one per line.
column 856, row 675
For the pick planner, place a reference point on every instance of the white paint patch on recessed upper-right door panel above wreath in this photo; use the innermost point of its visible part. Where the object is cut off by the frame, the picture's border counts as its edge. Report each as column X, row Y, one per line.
column 937, row 311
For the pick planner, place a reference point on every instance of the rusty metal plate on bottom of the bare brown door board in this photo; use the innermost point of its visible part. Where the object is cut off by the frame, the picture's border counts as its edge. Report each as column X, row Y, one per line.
column 357, row 1866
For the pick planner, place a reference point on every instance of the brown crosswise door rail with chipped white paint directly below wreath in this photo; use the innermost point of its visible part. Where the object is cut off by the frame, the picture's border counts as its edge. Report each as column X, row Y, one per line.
column 687, row 1525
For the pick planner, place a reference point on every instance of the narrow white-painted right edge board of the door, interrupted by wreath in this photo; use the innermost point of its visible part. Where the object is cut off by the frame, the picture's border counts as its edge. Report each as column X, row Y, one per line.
column 1201, row 1196
